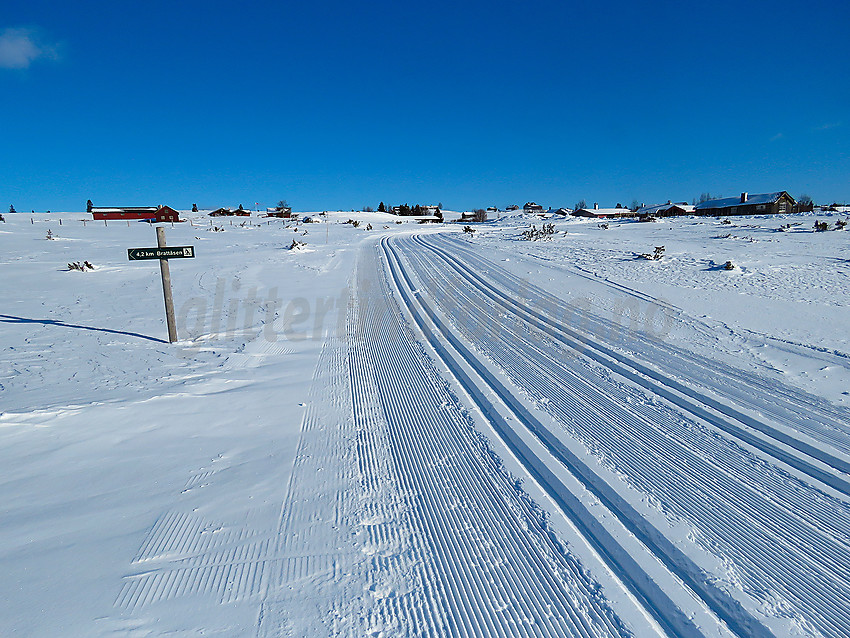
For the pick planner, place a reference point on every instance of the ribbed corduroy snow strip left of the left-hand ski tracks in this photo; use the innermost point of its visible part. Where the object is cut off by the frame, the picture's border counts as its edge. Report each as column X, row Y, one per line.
column 498, row 572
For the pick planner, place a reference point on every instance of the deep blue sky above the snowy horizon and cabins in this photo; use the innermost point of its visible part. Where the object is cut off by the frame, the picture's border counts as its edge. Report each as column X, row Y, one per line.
column 334, row 105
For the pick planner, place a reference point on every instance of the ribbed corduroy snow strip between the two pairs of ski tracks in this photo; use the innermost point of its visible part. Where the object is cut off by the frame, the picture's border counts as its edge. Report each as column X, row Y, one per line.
column 795, row 539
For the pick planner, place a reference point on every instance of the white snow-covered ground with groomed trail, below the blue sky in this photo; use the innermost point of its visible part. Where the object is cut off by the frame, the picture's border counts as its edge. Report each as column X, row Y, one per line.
column 410, row 430
